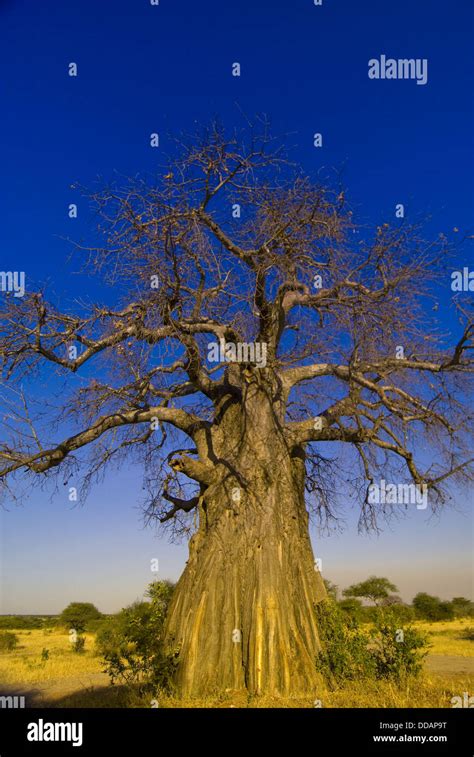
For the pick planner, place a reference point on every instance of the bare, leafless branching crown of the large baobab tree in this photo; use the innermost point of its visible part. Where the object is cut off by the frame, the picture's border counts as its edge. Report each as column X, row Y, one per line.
column 232, row 245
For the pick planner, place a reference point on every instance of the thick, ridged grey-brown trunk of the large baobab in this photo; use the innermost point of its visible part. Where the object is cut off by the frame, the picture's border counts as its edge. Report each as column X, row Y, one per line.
column 243, row 611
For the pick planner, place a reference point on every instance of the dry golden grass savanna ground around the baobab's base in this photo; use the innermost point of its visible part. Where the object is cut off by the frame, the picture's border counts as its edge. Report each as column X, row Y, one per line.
column 68, row 679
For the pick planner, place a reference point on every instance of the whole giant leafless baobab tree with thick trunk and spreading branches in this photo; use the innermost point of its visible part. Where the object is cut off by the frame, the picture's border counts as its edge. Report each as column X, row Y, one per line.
column 265, row 356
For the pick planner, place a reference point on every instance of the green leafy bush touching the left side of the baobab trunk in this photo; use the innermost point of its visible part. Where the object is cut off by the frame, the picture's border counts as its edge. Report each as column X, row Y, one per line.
column 131, row 642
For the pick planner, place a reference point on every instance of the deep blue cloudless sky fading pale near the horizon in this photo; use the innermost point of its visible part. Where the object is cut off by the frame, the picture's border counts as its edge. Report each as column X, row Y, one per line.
column 164, row 69
